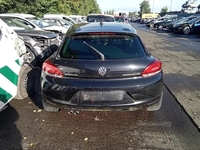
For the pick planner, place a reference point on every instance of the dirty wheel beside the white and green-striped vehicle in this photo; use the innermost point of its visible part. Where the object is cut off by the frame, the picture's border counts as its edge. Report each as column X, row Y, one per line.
column 26, row 82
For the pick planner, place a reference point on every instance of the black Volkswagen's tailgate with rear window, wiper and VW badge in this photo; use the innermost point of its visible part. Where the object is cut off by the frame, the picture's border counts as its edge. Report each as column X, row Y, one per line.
column 103, row 56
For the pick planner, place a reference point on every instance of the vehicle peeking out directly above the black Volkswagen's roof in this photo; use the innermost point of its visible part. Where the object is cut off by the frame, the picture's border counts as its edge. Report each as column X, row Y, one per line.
column 100, row 18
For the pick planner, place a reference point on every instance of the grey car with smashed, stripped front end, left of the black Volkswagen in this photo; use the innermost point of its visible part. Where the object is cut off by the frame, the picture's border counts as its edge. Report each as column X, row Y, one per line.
column 35, row 40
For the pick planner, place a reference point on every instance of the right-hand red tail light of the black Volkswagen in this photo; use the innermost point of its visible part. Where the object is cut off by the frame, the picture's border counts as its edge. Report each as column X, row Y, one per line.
column 154, row 68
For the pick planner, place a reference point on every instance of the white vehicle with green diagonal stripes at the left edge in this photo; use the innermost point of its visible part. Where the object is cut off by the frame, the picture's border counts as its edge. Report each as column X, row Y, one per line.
column 11, row 58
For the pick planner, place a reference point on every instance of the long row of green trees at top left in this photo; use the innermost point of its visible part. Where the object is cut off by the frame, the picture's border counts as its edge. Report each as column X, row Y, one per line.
column 40, row 7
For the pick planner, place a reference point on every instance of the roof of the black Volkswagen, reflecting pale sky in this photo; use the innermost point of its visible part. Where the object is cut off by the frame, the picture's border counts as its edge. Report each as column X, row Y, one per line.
column 101, row 27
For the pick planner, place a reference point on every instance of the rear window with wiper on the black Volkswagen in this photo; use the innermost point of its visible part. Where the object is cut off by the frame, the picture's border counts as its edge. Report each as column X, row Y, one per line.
column 94, row 46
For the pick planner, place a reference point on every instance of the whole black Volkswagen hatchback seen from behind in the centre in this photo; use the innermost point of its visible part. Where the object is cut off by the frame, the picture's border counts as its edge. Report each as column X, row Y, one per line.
column 101, row 66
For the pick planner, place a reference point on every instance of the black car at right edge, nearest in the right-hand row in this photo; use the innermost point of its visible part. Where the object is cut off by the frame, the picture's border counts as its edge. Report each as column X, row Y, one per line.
column 192, row 26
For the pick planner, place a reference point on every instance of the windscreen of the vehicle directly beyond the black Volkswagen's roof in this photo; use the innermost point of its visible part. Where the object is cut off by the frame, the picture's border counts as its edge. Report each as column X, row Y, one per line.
column 100, row 18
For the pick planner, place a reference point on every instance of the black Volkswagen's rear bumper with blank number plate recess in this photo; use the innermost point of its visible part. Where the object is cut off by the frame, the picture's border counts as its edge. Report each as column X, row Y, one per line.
column 134, row 93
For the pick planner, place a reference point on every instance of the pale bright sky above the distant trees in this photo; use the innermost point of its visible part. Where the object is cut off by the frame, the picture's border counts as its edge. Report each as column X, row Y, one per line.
column 133, row 5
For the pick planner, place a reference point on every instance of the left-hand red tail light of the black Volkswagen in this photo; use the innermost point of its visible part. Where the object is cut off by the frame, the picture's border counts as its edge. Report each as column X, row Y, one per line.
column 49, row 68
